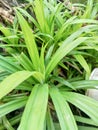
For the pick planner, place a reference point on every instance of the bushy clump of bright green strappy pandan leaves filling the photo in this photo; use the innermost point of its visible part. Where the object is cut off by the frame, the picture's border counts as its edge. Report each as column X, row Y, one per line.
column 43, row 69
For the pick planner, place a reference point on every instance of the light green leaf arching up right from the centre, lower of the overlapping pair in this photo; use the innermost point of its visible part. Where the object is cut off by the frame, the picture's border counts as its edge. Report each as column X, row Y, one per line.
column 63, row 50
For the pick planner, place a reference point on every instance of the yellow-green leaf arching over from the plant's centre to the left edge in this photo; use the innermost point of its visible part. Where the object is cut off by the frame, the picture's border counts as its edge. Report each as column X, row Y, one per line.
column 15, row 79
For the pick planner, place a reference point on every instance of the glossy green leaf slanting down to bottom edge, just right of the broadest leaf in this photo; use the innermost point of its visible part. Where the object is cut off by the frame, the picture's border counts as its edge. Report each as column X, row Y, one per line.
column 66, row 119
